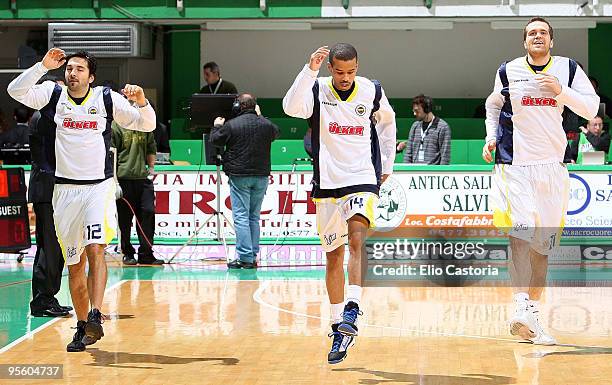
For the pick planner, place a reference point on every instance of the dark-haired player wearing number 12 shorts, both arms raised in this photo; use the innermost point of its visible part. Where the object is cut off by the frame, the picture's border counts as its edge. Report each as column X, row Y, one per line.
column 79, row 118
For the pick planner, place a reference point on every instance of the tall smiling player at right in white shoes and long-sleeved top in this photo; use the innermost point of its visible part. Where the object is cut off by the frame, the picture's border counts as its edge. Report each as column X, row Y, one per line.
column 530, row 182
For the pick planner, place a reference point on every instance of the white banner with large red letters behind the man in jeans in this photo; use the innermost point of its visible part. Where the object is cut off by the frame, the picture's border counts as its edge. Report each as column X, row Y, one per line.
column 185, row 201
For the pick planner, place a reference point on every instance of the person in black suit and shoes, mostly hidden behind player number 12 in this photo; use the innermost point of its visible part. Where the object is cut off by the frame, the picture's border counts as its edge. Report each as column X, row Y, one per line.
column 48, row 262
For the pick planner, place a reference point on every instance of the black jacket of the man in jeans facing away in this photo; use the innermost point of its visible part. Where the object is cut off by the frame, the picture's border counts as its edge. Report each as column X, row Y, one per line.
column 247, row 140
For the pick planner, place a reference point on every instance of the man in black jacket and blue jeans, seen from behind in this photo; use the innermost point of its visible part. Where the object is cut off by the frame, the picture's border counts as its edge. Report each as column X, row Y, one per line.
column 246, row 161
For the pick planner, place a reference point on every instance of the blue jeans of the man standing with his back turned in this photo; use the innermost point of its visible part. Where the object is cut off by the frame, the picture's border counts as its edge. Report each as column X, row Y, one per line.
column 247, row 193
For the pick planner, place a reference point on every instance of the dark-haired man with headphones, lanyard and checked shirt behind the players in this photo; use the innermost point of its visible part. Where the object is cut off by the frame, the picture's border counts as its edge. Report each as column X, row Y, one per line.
column 430, row 137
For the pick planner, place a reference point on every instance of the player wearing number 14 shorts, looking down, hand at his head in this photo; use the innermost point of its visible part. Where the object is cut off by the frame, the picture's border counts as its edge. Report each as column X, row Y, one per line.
column 353, row 145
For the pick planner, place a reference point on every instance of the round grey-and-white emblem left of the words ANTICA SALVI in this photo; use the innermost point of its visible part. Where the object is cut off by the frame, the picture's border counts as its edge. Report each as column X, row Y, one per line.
column 392, row 204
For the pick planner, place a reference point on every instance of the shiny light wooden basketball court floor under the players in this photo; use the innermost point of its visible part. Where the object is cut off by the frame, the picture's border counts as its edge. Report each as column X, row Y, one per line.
column 198, row 324
